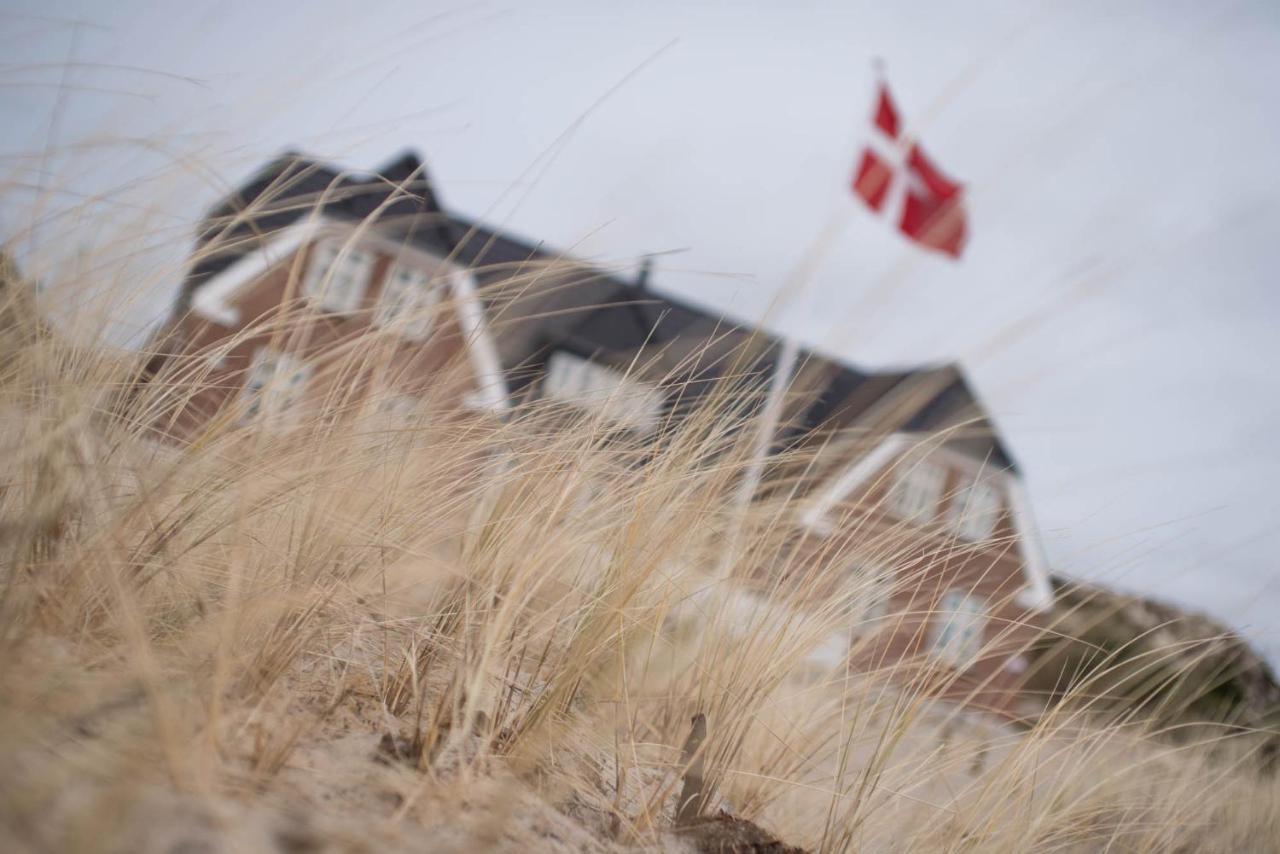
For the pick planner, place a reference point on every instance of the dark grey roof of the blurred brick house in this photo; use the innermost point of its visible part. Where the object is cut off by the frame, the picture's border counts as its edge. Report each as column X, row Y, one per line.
column 540, row 300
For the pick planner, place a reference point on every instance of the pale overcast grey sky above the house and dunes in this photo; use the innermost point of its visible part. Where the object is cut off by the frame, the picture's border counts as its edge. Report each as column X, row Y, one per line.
column 1118, row 304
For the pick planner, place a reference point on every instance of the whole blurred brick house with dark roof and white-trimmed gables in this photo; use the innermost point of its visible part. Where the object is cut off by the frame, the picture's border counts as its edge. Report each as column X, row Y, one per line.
column 902, row 482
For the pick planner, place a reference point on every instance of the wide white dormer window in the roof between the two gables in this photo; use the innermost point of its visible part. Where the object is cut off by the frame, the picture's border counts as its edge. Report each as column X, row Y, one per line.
column 611, row 394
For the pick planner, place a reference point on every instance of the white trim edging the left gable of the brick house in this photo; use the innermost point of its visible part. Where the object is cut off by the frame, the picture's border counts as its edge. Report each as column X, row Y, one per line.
column 212, row 299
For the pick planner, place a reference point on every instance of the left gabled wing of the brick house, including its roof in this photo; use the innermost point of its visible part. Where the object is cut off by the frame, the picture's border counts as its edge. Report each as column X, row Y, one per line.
column 290, row 271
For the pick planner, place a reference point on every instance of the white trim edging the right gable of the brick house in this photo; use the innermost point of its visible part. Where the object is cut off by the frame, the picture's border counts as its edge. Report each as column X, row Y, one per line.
column 1039, row 593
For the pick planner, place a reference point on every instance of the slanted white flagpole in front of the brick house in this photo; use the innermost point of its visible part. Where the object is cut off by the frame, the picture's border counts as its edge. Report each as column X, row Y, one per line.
column 784, row 372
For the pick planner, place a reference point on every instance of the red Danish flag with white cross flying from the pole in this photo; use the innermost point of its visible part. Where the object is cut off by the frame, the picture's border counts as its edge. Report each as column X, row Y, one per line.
column 897, row 180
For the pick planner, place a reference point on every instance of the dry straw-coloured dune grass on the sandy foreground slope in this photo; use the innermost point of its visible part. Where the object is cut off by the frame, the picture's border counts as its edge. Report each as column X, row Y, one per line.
column 447, row 633
